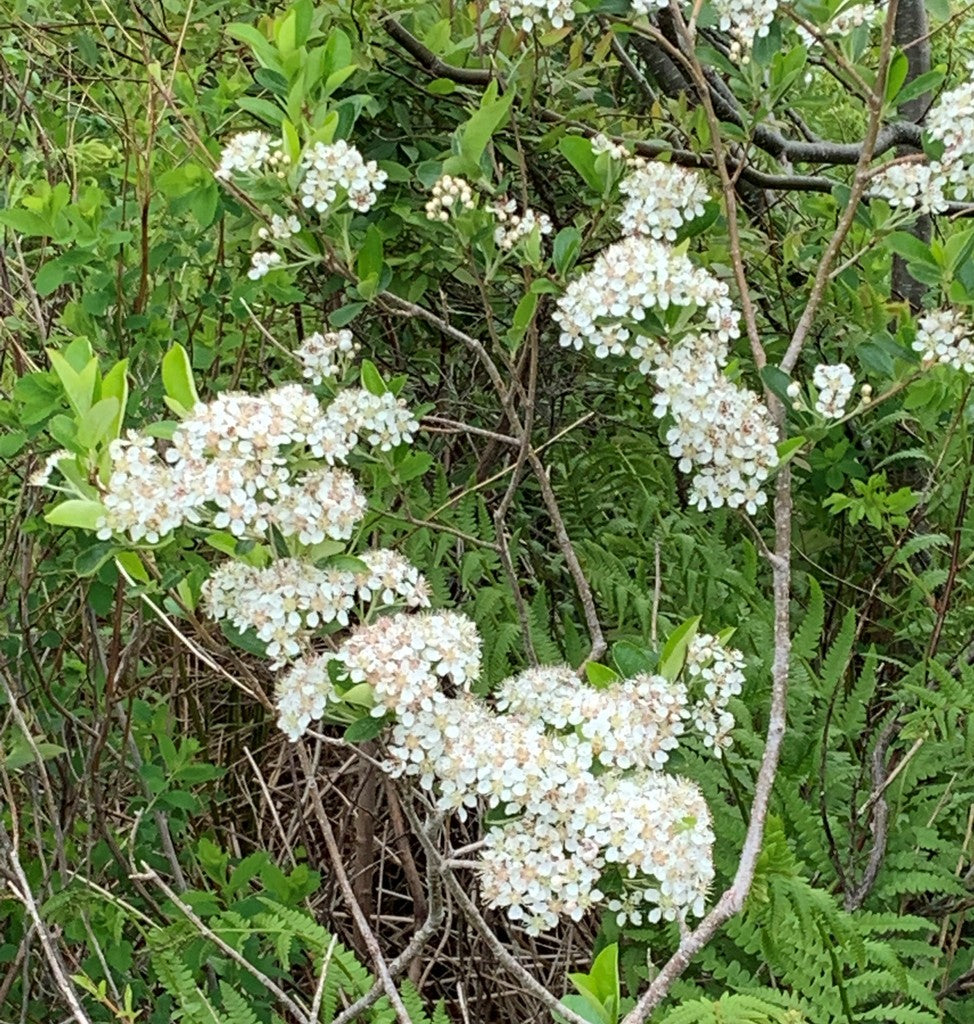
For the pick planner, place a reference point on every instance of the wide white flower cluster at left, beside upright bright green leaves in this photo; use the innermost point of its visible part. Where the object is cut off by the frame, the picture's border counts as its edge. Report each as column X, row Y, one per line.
column 229, row 464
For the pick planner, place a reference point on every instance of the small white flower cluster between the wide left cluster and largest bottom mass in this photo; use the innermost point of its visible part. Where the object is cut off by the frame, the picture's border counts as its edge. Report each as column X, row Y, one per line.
column 285, row 602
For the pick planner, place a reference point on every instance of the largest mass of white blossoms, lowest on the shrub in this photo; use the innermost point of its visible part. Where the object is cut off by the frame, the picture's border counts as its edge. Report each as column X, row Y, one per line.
column 578, row 765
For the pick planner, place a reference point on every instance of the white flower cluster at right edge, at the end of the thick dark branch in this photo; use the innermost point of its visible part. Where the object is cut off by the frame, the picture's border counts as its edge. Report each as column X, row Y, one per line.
column 926, row 188
